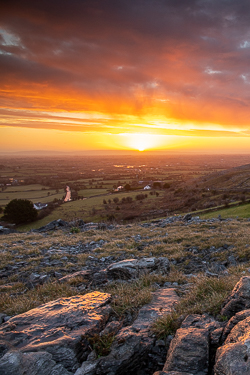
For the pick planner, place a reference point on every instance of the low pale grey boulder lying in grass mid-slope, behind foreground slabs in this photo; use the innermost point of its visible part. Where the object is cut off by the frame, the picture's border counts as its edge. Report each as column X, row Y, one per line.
column 133, row 268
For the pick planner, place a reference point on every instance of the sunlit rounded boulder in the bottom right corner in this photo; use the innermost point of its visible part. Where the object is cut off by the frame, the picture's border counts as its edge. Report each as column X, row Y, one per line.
column 233, row 356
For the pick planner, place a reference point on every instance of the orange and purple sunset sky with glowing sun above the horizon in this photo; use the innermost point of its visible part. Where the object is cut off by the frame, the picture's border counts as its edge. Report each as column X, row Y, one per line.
column 125, row 75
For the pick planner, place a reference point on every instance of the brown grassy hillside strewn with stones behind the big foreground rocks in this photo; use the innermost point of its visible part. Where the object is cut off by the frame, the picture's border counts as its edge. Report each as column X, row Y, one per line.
column 192, row 250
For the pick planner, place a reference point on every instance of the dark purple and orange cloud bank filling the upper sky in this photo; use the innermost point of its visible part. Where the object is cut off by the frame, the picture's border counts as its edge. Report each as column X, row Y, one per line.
column 126, row 56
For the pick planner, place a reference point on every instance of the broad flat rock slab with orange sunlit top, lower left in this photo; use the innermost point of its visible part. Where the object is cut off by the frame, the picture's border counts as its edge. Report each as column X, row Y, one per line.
column 58, row 327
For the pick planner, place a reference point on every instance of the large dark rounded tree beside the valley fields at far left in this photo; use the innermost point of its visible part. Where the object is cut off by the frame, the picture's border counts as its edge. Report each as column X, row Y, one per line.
column 20, row 211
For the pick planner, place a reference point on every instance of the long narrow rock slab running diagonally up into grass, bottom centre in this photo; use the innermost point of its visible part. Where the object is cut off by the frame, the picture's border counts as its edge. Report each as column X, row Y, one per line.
column 132, row 344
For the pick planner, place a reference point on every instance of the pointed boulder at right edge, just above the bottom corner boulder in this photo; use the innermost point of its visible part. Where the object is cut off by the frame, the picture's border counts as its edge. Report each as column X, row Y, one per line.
column 239, row 299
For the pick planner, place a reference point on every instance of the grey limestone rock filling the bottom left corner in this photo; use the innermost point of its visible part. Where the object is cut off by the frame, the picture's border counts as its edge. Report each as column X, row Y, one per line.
column 39, row 363
